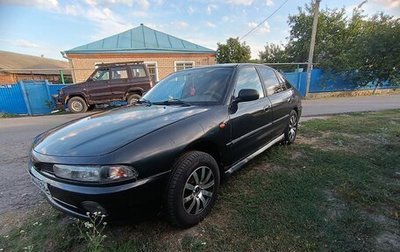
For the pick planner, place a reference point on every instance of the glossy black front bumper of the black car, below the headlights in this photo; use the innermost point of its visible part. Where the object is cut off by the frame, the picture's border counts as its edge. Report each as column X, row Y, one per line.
column 115, row 201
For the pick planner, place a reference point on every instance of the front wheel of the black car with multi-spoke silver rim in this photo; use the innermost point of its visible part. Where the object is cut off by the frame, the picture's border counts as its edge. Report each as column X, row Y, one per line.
column 192, row 189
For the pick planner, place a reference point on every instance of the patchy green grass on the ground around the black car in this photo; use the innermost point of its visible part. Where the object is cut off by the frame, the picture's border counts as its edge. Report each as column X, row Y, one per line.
column 336, row 189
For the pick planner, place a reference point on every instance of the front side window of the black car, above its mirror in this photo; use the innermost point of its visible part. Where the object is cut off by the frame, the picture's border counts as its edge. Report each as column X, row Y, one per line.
column 247, row 78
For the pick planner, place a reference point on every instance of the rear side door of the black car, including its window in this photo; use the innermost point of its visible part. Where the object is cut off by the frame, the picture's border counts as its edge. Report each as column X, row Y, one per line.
column 281, row 98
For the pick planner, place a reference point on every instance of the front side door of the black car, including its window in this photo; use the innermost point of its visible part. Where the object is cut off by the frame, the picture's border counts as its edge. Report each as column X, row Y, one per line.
column 250, row 121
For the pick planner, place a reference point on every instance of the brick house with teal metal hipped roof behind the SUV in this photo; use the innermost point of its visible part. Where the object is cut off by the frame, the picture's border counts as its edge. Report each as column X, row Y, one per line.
column 162, row 53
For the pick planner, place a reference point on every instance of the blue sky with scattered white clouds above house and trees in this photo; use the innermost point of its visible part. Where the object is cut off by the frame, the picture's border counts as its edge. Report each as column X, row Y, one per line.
column 46, row 27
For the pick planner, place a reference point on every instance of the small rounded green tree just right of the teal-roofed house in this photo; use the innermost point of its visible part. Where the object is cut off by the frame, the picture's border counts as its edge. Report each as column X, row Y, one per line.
column 233, row 51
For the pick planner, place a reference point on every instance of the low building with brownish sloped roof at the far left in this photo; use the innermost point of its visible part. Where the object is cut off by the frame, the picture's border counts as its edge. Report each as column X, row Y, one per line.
column 15, row 67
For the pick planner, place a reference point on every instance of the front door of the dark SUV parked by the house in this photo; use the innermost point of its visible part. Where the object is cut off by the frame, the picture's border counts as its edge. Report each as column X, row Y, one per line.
column 98, row 87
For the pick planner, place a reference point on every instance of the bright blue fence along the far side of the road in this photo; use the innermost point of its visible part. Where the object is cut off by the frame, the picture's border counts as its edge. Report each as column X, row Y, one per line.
column 35, row 98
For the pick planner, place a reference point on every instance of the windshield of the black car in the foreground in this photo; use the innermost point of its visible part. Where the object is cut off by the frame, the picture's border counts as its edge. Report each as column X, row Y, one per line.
column 195, row 86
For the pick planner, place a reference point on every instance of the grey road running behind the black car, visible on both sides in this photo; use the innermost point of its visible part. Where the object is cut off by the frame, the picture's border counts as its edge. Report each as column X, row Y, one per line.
column 18, row 195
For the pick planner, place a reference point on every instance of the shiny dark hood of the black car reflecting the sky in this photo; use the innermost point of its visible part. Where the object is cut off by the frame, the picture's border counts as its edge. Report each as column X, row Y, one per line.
column 103, row 133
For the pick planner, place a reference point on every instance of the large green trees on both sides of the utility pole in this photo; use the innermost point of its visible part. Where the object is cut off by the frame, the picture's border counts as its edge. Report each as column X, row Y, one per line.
column 357, row 48
